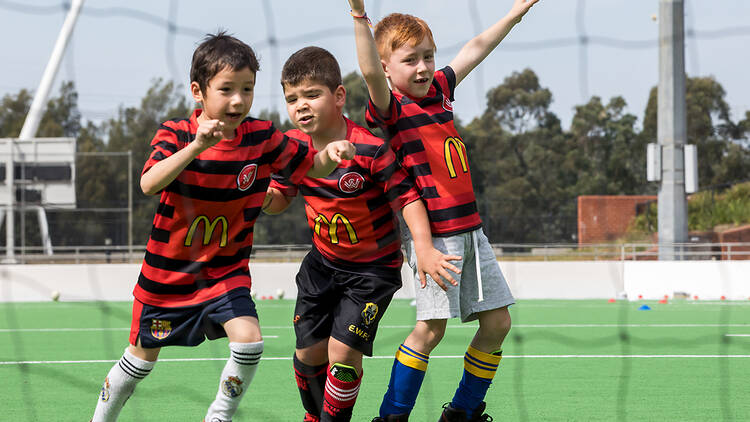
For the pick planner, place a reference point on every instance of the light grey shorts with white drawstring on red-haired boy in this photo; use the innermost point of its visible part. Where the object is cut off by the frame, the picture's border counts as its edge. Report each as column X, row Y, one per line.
column 462, row 300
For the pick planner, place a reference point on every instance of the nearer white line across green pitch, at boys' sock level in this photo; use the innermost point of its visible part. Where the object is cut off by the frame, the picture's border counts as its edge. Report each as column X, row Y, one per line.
column 390, row 357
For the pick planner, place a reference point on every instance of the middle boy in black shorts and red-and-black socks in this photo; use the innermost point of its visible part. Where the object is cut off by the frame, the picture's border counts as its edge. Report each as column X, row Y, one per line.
column 348, row 279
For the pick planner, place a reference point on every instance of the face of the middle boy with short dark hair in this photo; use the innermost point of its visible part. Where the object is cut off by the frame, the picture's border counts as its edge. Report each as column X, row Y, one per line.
column 314, row 109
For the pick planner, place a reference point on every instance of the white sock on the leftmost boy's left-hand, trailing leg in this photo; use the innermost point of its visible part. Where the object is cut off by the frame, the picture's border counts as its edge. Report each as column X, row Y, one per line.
column 119, row 385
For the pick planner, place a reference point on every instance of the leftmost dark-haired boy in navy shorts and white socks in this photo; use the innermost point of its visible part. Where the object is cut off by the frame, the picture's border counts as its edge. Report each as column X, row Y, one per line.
column 212, row 171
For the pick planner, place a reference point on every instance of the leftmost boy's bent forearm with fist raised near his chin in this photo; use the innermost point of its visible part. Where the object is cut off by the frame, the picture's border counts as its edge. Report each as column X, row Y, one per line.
column 161, row 174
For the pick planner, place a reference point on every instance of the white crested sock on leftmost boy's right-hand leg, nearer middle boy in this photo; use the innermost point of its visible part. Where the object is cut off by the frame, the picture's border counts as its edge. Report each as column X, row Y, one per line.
column 235, row 379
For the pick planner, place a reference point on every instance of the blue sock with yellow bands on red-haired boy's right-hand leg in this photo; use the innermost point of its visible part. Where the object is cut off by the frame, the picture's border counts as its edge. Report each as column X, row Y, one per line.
column 479, row 369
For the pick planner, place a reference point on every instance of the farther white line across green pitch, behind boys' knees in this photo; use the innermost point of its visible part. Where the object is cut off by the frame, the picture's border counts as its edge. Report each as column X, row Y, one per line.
column 400, row 327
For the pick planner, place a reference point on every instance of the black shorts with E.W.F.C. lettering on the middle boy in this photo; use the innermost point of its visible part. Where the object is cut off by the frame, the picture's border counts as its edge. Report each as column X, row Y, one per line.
column 345, row 305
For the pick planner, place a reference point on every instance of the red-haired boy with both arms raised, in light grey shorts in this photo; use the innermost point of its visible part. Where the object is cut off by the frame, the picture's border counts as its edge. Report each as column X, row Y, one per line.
column 412, row 103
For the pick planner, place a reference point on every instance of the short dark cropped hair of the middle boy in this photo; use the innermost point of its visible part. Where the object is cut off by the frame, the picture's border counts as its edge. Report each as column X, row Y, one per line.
column 314, row 64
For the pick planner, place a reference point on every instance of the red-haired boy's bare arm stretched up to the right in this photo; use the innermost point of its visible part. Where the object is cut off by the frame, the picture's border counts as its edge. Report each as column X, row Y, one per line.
column 479, row 47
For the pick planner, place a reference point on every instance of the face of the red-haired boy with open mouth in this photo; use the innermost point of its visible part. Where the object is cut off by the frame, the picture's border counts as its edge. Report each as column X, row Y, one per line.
column 411, row 68
